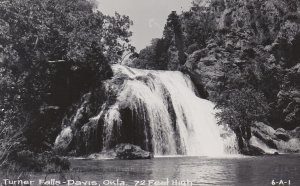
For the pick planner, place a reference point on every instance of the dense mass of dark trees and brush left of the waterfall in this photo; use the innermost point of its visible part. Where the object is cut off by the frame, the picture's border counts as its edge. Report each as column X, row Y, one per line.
column 51, row 53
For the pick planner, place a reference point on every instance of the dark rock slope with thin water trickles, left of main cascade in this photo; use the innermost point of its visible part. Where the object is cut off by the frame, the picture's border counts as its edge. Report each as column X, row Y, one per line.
column 79, row 126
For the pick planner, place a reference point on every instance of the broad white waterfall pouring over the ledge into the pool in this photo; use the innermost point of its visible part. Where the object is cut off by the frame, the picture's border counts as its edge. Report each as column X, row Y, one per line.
column 159, row 111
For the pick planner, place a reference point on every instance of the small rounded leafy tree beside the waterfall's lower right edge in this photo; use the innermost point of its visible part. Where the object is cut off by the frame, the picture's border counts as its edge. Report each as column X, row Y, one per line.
column 240, row 109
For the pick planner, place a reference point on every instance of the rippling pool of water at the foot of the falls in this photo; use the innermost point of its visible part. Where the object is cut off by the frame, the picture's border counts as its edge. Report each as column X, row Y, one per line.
column 254, row 171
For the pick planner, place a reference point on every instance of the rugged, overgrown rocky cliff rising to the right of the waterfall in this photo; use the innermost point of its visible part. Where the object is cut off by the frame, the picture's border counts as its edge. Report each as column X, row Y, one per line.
column 256, row 43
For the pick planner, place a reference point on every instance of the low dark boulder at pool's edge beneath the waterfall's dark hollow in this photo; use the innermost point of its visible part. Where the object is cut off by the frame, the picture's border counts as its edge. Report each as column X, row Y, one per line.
column 131, row 152
